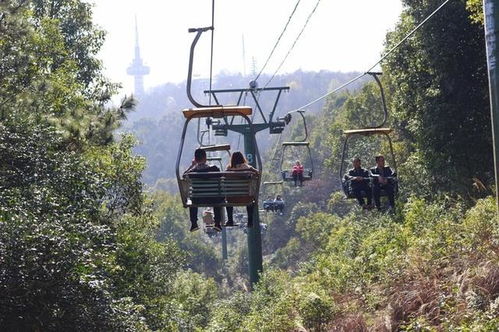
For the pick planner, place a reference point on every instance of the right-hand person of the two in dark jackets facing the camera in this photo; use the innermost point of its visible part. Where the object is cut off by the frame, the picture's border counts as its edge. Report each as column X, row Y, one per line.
column 382, row 179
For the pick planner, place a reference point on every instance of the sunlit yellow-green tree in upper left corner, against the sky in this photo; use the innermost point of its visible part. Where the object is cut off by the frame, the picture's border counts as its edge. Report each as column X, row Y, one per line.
column 49, row 70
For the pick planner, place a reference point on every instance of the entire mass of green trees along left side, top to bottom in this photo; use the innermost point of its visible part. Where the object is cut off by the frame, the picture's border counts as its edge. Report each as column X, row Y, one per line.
column 78, row 237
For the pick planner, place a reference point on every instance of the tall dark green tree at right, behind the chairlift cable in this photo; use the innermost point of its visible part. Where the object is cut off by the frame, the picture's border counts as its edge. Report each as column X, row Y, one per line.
column 438, row 90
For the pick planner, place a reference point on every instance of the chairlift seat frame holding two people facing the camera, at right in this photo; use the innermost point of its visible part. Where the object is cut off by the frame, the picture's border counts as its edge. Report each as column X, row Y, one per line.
column 377, row 130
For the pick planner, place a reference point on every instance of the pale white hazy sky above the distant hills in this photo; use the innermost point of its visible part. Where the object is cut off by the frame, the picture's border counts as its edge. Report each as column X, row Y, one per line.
column 342, row 35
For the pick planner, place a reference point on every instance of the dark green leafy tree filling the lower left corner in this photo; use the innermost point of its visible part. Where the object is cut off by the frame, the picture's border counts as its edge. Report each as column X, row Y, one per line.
column 56, row 244
